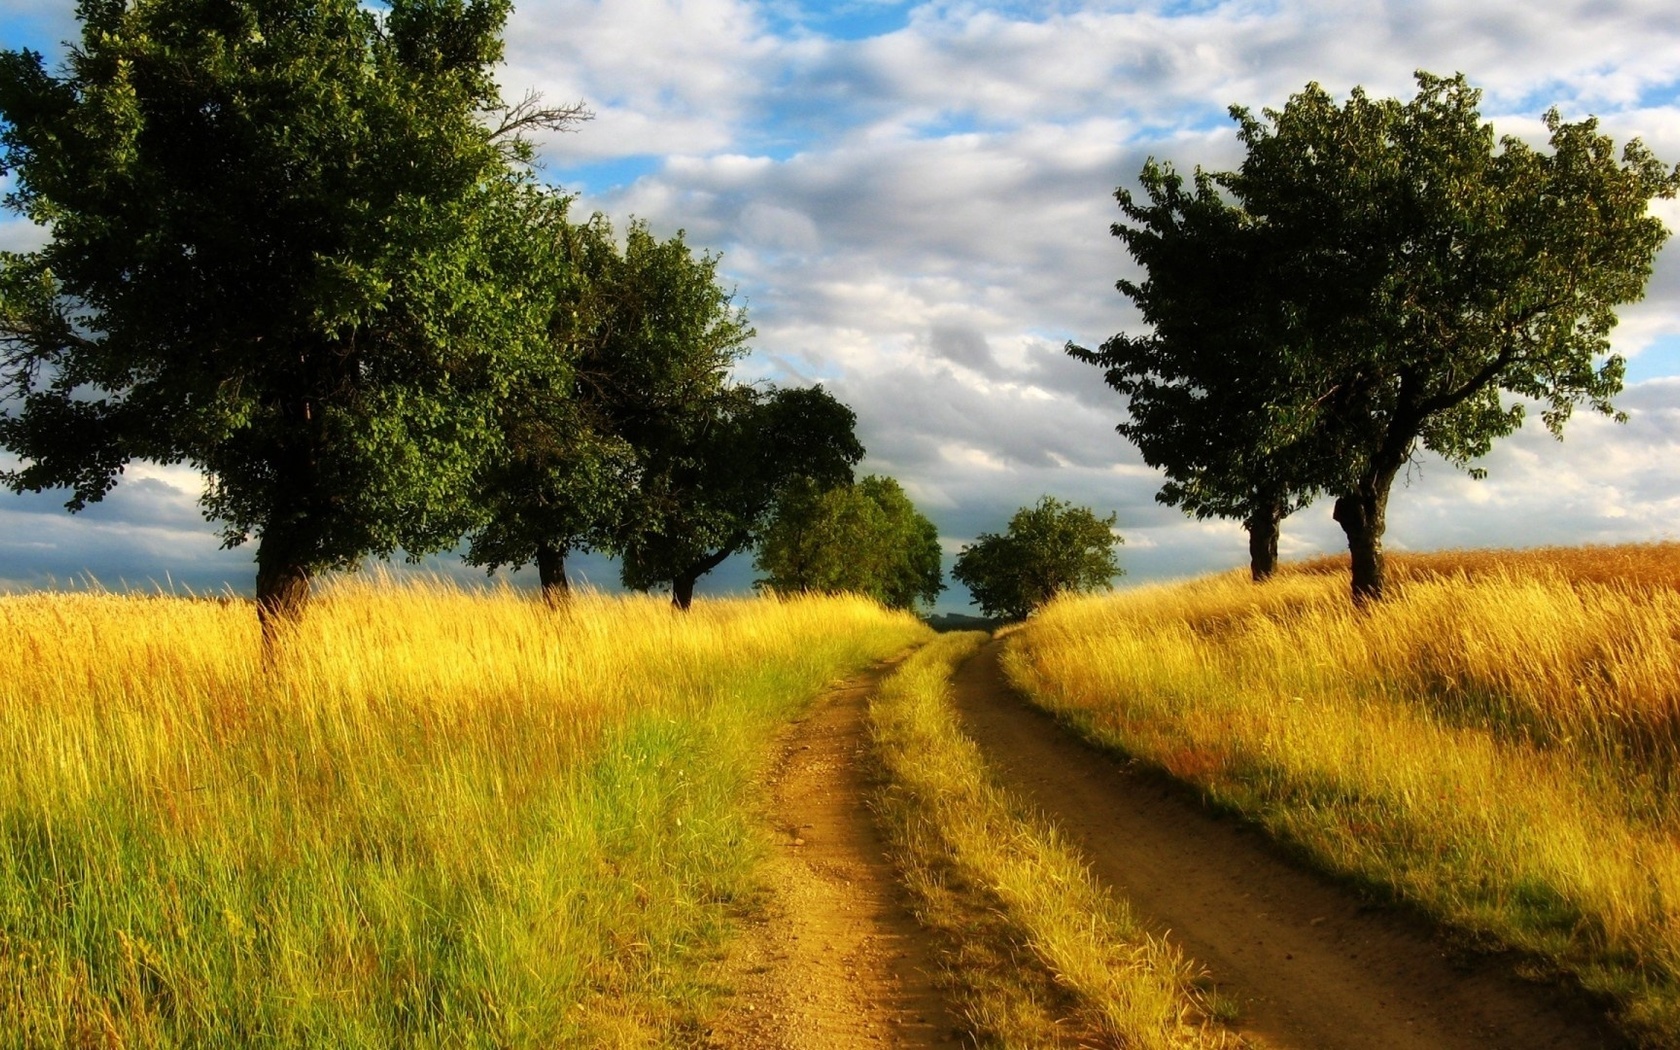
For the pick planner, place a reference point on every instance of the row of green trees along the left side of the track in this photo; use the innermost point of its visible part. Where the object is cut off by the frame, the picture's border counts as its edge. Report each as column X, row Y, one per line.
column 298, row 246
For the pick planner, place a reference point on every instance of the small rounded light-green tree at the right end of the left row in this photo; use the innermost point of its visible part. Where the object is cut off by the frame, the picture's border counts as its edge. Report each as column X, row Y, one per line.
column 866, row 540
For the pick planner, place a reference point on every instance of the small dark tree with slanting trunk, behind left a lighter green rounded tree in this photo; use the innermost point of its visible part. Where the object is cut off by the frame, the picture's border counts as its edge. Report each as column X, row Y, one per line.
column 711, row 498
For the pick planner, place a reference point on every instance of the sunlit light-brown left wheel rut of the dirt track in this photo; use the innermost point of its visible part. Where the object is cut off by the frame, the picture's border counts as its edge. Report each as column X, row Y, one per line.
column 839, row 962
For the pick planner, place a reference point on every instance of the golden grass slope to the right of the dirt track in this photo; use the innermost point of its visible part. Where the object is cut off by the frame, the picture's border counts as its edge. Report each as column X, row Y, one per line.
column 1499, row 743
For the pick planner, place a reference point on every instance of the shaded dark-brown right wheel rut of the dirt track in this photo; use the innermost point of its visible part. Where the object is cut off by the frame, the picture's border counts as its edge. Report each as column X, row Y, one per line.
column 1308, row 965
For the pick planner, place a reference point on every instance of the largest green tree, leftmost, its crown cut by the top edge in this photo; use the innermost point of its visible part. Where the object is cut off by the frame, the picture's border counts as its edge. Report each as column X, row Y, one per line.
column 286, row 246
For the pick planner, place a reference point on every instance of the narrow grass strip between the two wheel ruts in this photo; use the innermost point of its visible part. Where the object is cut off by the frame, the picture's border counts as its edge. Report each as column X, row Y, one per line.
column 1039, row 955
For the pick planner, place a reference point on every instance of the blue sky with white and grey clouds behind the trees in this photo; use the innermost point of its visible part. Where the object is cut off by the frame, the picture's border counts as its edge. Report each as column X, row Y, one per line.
column 913, row 201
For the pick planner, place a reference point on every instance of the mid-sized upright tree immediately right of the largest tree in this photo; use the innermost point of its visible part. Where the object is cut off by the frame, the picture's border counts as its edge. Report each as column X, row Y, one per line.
column 636, row 379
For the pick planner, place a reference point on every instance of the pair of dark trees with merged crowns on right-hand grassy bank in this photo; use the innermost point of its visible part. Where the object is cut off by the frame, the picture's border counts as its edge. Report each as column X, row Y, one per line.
column 1377, row 280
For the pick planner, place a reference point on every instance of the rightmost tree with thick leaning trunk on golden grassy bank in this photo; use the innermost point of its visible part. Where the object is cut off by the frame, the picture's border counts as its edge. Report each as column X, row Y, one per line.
column 1429, row 273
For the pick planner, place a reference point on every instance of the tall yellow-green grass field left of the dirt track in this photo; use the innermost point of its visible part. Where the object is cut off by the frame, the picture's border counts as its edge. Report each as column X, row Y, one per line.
column 443, row 819
